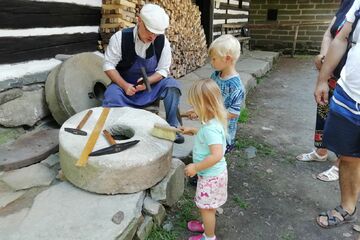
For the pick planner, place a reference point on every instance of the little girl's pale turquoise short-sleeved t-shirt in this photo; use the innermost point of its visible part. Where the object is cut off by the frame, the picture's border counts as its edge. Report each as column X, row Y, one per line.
column 209, row 133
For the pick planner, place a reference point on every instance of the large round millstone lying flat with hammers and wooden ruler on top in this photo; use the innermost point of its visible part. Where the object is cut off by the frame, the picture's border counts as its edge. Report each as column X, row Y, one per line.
column 135, row 169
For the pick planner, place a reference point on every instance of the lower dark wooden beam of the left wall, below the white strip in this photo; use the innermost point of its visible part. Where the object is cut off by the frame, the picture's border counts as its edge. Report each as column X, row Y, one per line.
column 14, row 49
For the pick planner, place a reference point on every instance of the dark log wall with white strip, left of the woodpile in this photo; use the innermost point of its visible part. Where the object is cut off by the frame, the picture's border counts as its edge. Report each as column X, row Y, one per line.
column 34, row 30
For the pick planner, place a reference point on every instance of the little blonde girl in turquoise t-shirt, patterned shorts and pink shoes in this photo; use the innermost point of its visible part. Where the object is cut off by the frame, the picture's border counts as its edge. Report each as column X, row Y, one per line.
column 208, row 155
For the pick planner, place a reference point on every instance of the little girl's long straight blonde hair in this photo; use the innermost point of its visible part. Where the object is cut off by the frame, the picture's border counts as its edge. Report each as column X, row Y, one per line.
column 205, row 97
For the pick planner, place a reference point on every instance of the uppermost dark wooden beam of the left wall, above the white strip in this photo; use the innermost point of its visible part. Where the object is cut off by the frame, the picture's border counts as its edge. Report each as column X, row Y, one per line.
column 18, row 14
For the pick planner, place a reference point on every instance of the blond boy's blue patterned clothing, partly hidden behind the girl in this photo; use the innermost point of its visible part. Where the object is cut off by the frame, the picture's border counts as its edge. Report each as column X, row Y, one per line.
column 233, row 93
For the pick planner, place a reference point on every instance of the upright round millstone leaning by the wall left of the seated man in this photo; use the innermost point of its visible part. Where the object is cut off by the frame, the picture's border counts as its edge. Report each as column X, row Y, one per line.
column 77, row 84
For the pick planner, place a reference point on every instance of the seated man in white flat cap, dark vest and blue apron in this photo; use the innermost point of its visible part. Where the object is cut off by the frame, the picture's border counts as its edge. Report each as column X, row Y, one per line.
column 143, row 46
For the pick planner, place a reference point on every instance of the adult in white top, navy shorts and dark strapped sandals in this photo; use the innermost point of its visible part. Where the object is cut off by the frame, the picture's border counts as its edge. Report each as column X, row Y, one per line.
column 342, row 127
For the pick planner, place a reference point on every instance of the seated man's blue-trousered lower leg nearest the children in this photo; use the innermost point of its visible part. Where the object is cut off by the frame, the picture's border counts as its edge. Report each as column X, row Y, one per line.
column 171, row 98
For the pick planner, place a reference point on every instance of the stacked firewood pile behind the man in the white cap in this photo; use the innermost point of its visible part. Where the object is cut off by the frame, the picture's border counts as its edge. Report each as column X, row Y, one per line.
column 185, row 33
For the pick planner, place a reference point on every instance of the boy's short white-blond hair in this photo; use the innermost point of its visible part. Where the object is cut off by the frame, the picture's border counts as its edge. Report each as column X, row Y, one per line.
column 226, row 45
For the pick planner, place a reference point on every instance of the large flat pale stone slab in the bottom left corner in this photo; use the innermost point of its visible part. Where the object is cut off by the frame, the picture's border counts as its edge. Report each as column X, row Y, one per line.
column 65, row 212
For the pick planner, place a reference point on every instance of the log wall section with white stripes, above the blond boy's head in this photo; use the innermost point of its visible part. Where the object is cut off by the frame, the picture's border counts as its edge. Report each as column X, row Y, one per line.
column 229, row 11
